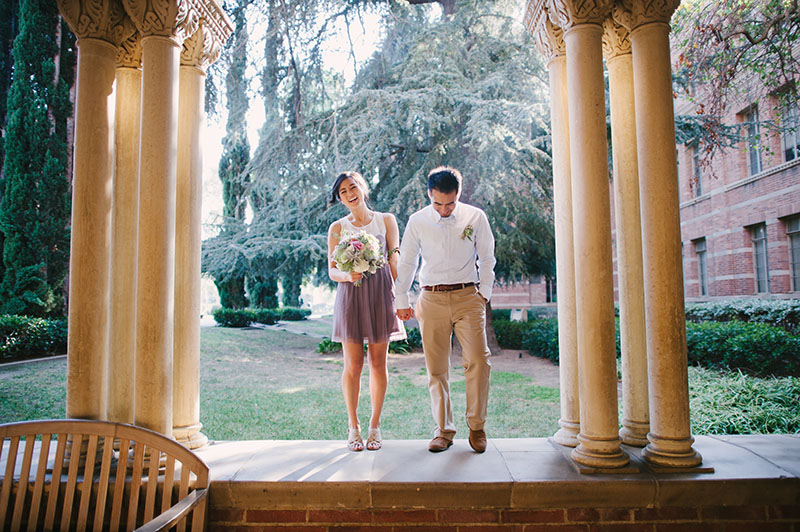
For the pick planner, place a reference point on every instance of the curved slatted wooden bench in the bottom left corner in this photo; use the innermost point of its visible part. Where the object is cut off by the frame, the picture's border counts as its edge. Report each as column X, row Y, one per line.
column 97, row 475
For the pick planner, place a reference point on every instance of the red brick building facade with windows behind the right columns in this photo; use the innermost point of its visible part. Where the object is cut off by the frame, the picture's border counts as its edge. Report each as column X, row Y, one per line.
column 740, row 217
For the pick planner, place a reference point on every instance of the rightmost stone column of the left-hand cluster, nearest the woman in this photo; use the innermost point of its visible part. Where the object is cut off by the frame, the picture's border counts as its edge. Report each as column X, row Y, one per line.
column 198, row 51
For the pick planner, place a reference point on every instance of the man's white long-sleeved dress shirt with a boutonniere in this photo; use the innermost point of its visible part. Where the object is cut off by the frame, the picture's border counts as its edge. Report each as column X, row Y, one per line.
column 450, row 255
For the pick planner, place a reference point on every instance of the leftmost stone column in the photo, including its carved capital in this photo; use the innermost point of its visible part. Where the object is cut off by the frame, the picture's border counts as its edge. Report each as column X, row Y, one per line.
column 87, row 345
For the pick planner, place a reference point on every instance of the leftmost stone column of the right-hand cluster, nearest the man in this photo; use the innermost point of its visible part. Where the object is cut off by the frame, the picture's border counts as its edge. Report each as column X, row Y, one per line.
column 550, row 43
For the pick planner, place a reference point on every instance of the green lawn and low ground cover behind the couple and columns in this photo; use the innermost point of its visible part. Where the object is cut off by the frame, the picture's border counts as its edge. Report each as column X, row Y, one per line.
column 270, row 384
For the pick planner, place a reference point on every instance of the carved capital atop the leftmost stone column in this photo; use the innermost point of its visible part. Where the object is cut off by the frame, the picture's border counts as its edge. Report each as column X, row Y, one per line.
column 97, row 19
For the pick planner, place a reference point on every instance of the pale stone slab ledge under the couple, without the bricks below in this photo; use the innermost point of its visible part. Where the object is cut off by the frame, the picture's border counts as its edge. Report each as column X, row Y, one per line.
column 531, row 473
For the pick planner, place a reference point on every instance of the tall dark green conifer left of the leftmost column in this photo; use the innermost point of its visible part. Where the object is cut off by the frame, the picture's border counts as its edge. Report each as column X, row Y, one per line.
column 34, row 212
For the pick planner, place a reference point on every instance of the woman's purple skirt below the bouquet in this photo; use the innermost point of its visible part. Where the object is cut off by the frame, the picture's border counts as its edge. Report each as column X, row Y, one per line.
column 366, row 313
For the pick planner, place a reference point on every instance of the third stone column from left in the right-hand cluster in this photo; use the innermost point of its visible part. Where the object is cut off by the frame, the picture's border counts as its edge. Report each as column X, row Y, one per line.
column 635, row 419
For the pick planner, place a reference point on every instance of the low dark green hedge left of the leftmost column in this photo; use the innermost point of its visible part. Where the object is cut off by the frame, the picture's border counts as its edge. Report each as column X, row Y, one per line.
column 24, row 336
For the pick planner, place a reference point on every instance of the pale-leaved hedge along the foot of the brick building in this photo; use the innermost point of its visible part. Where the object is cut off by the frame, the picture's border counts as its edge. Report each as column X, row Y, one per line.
column 783, row 313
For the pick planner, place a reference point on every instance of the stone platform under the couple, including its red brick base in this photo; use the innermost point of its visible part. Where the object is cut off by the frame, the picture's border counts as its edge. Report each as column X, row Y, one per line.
column 518, row 484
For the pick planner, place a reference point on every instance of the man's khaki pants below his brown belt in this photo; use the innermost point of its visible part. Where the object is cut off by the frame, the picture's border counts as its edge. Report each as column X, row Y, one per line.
column 439, row 315
